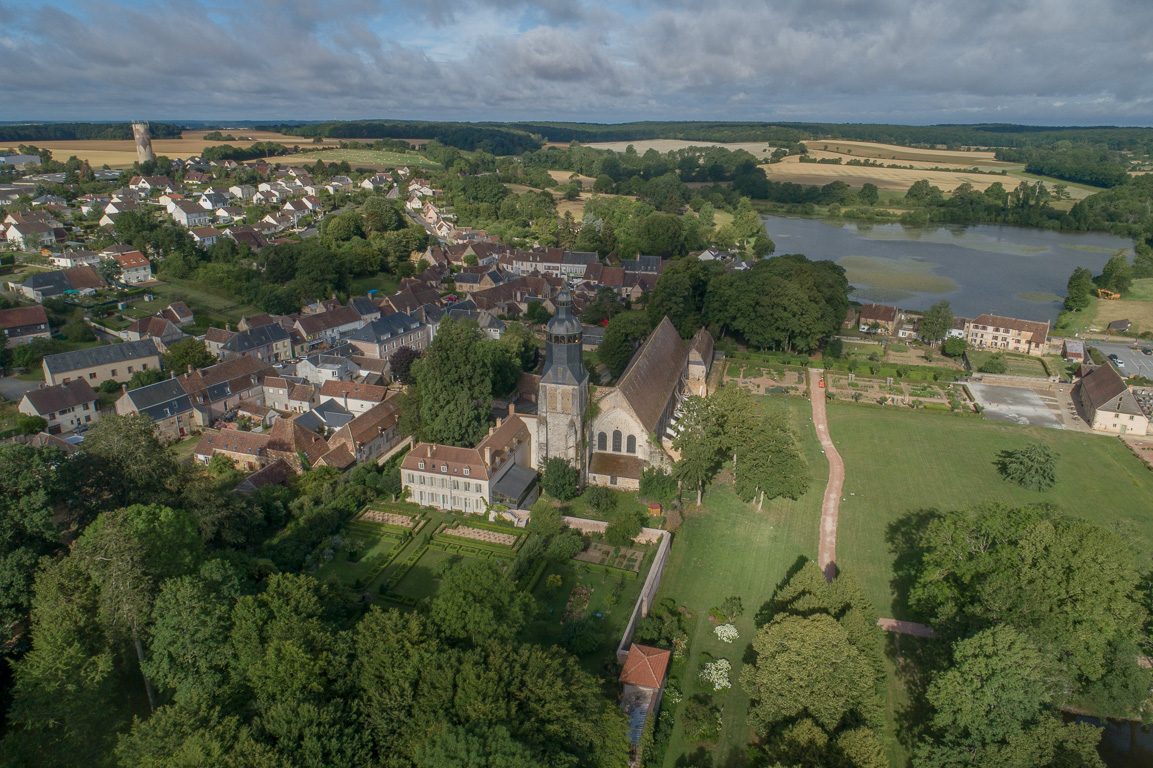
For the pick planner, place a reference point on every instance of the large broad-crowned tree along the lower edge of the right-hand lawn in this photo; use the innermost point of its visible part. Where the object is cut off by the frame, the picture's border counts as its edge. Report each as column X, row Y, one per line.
column 1067, row 584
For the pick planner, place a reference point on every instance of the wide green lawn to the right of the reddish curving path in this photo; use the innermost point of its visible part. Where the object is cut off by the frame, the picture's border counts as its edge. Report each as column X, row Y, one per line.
column 900, row 462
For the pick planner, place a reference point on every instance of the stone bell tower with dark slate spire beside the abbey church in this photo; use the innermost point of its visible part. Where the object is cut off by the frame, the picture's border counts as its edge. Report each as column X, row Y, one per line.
column 563, row 400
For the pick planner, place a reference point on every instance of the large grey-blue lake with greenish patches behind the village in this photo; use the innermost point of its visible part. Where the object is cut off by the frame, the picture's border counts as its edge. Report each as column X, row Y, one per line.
column 1012, row 272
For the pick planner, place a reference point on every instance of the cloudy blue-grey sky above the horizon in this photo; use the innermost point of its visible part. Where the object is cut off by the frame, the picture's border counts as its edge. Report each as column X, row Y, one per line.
column 908, row 62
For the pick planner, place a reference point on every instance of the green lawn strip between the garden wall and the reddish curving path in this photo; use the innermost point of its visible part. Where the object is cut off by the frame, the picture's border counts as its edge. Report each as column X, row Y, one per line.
column 733, row 549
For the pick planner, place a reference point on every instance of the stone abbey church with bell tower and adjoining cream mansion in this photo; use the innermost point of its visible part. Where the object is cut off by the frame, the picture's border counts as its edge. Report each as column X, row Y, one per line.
column 612, row 438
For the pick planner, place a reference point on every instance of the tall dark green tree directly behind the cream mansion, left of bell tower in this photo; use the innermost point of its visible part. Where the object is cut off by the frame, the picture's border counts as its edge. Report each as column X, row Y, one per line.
column 456, row 387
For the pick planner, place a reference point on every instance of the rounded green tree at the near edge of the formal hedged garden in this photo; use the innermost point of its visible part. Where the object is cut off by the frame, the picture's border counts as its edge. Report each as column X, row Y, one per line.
column 479, row 603
